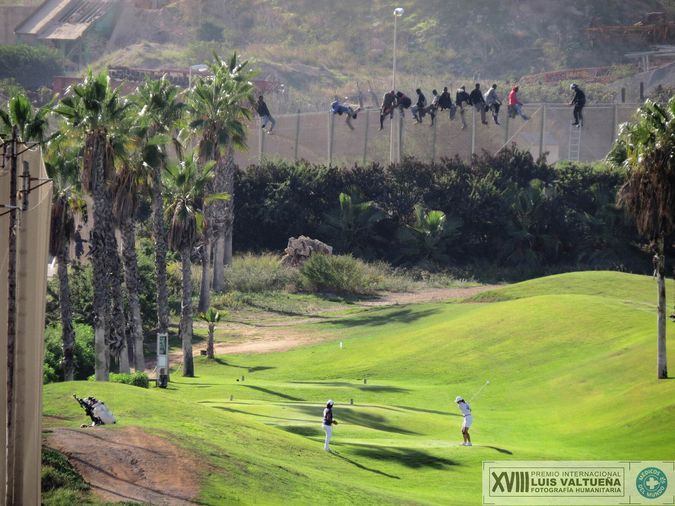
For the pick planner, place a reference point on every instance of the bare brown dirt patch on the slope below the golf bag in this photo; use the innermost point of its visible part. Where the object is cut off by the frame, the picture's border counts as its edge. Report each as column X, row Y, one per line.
column 129, row 465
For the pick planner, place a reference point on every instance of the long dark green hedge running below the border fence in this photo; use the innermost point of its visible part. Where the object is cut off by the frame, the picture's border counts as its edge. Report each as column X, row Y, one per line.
column 507, row 210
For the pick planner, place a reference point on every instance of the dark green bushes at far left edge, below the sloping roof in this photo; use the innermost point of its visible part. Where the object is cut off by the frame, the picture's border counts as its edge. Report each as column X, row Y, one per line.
column 31, row 67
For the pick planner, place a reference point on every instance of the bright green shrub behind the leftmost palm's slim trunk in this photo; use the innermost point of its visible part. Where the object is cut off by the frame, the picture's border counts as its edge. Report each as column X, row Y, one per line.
column 84, row 353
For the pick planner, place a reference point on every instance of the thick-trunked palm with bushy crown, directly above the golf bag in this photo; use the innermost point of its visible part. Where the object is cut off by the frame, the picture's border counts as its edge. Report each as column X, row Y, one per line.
column 91, row 109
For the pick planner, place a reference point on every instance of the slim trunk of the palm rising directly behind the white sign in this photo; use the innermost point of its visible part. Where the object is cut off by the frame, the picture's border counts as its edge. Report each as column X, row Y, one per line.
column 160, row 252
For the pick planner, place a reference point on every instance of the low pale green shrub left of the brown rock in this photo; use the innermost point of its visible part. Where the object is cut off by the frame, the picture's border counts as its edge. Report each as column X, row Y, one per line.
column 259, row 273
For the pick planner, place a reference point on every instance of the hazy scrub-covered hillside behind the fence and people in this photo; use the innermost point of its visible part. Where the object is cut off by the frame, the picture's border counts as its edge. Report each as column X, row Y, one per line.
column 320, row 47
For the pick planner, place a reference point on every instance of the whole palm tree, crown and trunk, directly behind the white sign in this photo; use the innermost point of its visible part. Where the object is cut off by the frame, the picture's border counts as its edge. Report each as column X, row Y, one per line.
column 160, row 111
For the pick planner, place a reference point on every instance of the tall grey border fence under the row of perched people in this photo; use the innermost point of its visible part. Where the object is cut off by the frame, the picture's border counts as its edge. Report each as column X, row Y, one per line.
column 322, row 137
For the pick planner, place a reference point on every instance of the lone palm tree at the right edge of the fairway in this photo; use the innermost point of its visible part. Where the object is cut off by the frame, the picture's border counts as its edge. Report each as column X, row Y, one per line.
column 645, row 148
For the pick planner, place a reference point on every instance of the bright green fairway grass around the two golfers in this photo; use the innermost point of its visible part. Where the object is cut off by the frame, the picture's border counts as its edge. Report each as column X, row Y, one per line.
column 571, row 361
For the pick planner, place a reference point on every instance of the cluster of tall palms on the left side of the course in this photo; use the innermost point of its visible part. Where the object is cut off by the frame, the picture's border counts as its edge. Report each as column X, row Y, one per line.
column 121, row 151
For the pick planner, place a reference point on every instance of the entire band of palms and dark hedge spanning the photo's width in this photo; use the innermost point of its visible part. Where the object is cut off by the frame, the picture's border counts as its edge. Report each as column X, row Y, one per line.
column 507, row 210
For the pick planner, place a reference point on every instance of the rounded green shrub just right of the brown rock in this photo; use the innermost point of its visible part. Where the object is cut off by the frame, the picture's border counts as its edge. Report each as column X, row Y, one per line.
column 342, row 274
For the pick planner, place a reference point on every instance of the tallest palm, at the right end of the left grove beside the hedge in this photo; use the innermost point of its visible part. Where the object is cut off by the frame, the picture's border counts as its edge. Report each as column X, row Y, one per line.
column 219, row 106
